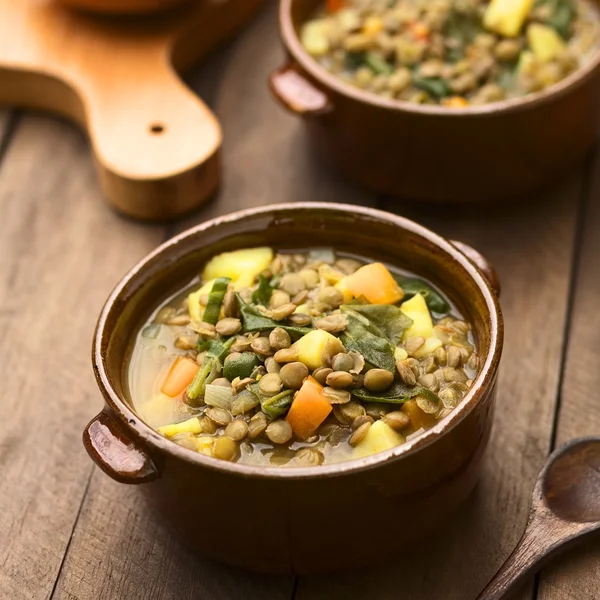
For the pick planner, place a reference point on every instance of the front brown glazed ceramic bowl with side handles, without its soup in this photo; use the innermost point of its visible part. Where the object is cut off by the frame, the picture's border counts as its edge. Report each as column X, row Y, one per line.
column 298, row 519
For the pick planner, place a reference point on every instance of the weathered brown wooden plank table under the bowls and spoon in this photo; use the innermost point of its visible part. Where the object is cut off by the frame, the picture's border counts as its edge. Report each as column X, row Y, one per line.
column 68, row 531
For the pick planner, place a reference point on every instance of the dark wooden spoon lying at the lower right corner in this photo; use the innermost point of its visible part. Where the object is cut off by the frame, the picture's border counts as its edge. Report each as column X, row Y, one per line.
column 565, row 509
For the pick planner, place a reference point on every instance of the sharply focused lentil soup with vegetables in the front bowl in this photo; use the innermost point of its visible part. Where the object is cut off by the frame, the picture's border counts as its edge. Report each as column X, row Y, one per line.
column 300, row 359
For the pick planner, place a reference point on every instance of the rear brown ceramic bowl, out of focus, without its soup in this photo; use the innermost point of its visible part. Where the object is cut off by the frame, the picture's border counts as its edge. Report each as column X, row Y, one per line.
column 434, row 152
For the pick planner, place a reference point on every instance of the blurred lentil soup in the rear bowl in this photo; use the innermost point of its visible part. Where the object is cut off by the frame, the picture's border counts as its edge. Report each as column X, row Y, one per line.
column 454, row 53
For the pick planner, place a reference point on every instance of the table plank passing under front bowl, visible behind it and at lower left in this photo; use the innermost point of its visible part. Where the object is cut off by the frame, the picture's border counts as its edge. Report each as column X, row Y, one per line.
column 117, row 549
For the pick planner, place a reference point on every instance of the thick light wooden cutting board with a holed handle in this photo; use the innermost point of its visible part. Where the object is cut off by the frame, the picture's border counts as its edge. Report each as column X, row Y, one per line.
column 156, row 144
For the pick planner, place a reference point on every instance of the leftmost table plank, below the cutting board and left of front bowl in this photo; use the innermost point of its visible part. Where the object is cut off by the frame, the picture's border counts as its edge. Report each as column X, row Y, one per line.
column 55, row 272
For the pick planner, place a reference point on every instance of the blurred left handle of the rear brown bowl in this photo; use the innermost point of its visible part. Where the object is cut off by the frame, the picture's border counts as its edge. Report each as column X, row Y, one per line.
column 297, row 94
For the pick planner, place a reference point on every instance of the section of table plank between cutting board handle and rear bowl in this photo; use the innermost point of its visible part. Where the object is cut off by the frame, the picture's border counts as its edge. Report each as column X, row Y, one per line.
column 265, row 157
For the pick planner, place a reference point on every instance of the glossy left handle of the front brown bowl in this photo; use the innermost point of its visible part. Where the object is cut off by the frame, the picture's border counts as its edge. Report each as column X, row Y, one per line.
column 115, row 452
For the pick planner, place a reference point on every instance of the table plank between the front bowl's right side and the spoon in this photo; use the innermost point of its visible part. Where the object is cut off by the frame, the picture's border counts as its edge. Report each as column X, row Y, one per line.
column 531, row 245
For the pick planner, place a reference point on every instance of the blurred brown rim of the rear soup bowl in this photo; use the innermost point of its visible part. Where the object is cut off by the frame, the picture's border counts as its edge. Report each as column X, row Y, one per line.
column 328, row 80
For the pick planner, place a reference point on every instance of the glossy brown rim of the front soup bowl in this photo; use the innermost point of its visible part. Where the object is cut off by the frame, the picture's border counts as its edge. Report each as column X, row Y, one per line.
column 136, row 277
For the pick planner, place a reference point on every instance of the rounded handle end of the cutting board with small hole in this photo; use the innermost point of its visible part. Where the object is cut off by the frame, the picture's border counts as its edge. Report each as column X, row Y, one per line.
column 151, row 136
